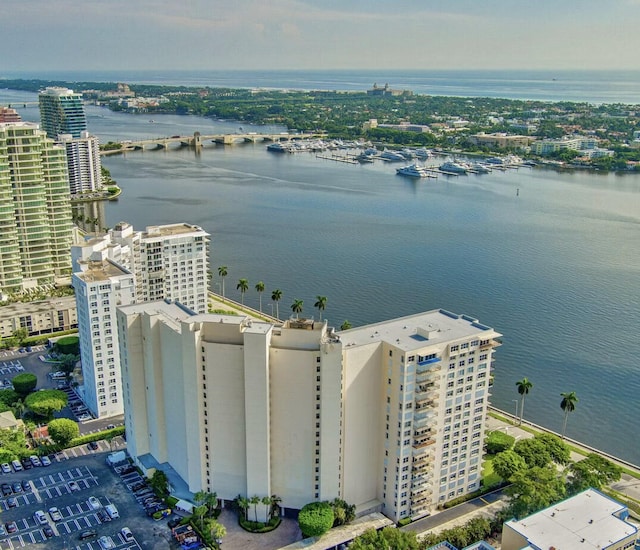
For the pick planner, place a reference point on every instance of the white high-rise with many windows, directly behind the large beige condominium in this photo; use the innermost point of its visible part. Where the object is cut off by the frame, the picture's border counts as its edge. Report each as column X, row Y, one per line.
column 166, row 261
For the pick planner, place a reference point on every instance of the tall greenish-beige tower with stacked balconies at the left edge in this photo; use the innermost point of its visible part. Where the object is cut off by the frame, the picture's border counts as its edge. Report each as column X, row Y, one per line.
column 35, row 209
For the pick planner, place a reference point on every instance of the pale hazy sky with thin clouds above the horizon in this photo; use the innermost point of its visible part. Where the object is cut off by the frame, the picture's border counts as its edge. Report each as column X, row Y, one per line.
column 64, row 35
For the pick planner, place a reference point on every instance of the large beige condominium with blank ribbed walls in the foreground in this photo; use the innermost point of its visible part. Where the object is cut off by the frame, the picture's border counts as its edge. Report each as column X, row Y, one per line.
column 389, row 417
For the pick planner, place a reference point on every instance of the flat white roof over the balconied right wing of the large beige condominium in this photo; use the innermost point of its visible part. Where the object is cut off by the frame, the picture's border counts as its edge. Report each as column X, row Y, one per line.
column 417, row 331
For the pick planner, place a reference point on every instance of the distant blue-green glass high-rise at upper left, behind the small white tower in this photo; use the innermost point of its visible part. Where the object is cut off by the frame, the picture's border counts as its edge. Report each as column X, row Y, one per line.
column 61, row 112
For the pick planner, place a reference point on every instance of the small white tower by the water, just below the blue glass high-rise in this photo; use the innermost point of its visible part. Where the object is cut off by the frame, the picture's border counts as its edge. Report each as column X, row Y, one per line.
column 83, row 162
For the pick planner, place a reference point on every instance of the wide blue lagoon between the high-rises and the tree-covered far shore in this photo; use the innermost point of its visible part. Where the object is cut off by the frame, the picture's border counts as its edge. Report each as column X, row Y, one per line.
column 555, row 269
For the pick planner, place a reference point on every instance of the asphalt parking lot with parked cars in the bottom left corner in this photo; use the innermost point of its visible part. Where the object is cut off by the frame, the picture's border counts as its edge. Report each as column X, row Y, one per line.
column 65, row 506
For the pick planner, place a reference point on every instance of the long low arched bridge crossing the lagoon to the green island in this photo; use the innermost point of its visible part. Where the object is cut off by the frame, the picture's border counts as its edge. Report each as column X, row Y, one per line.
column 197, row 140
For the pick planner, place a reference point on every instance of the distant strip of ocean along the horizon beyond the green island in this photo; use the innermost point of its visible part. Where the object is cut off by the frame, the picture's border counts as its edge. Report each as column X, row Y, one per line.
column 589, row 86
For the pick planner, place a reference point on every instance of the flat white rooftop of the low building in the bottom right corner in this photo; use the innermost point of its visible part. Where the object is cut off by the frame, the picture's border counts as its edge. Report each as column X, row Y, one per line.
column 587, row 521
